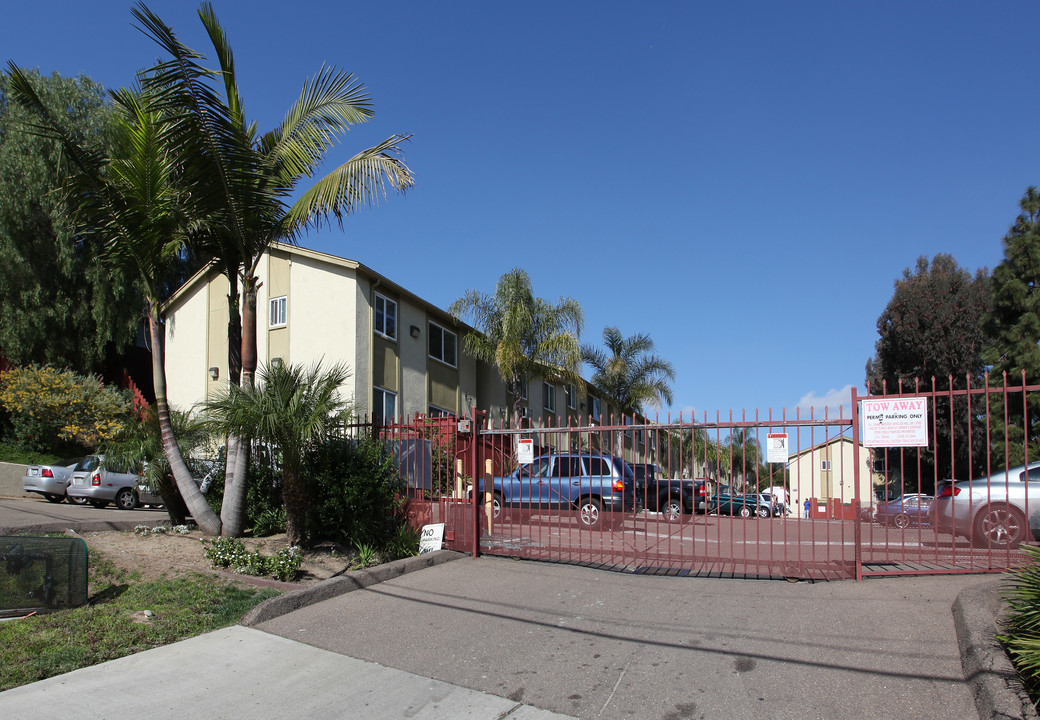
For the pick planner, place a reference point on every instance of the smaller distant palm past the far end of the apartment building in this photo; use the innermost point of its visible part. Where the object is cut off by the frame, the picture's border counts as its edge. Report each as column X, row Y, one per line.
column 630, row 374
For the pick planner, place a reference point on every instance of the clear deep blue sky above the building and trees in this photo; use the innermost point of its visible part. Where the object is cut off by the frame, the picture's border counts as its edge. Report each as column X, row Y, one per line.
column 744, row 182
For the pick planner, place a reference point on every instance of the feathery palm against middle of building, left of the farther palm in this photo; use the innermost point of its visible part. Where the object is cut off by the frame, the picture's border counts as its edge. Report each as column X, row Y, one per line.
column 523, row 336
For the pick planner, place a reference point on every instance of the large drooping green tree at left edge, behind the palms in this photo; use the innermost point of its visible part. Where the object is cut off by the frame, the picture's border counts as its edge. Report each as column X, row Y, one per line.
column 62, row 306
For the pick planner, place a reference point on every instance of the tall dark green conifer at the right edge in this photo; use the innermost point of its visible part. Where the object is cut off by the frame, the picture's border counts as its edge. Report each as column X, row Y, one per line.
column 1013, row 329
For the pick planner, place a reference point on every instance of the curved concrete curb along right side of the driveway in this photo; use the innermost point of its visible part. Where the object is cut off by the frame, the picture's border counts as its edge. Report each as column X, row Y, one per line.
column 995, row 683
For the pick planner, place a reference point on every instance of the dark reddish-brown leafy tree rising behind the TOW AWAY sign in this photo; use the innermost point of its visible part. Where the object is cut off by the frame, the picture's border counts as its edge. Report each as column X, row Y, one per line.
column 932, row 328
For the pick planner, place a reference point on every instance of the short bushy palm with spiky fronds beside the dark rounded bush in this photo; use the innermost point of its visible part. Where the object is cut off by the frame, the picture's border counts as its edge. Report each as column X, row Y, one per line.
column 290, row 409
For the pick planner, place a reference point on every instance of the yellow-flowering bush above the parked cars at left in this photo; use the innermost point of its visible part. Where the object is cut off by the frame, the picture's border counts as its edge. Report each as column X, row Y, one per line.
column 48, row 407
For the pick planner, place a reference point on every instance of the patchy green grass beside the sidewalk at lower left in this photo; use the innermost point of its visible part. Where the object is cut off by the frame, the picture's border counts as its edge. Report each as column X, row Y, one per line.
column 45, row 646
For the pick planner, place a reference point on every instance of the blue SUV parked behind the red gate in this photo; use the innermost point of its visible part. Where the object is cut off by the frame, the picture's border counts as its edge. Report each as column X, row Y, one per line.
column 600, row 487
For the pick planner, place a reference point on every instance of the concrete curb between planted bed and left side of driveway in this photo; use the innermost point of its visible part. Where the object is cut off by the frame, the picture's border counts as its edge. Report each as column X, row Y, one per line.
column 334, row 587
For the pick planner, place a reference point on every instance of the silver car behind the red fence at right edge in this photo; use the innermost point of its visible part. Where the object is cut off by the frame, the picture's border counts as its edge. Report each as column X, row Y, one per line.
column 998, row 512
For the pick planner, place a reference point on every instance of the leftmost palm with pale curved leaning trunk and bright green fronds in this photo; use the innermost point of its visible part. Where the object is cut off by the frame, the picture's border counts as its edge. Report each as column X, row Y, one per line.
column 131, row 205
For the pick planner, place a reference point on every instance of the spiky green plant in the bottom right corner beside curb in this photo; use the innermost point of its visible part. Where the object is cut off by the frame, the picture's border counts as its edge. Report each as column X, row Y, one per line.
column 1022, row 626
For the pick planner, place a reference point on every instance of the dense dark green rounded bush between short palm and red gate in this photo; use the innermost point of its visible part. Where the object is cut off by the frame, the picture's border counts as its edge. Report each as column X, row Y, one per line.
column 355, row 493
